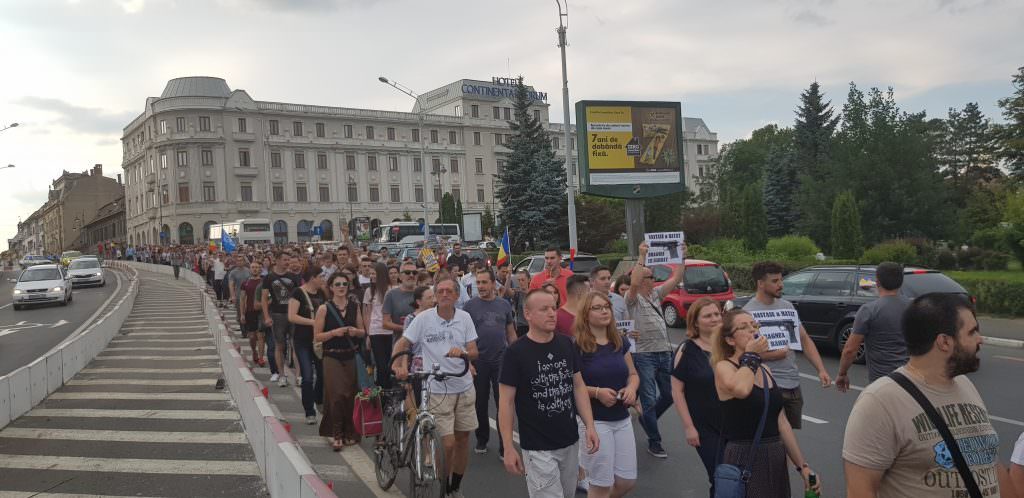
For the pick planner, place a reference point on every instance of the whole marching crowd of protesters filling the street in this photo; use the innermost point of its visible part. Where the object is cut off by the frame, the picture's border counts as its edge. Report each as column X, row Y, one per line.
column 547, row 351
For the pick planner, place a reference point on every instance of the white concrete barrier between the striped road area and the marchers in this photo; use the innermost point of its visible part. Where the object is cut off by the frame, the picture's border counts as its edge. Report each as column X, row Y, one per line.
column 285, row 468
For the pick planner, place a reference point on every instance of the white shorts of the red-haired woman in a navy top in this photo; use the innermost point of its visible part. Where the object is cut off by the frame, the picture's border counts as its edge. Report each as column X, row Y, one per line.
column 617, row 458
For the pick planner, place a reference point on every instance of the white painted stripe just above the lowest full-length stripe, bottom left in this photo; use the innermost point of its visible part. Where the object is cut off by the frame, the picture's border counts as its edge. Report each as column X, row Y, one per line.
column 126, row 436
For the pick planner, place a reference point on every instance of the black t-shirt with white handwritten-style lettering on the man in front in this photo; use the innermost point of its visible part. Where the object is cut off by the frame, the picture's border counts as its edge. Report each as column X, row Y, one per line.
column 545, row 404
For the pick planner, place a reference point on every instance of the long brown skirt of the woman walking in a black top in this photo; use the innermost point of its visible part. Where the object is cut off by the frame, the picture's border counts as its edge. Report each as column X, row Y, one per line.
column 339, row 399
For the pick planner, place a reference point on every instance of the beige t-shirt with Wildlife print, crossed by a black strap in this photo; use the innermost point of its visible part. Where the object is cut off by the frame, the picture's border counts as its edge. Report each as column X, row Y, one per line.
column 888, row 431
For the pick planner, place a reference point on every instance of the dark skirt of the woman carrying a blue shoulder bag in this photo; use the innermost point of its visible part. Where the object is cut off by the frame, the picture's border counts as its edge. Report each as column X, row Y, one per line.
column 770, row 474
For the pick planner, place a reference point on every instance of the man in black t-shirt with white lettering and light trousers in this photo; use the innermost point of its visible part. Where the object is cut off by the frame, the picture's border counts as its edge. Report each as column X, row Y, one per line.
column 541, row 386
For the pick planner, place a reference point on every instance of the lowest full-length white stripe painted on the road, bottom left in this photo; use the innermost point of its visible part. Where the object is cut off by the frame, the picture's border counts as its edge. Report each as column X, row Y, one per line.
column 130, row 466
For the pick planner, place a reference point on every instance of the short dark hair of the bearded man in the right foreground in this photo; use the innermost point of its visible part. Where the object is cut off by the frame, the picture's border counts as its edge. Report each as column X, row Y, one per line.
column 930, row 316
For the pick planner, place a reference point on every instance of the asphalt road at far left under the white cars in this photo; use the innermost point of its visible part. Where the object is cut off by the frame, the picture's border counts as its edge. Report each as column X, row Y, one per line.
column 29, row 334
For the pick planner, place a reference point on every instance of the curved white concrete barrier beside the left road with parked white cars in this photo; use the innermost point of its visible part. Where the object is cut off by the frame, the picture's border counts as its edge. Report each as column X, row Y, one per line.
column 27, row 387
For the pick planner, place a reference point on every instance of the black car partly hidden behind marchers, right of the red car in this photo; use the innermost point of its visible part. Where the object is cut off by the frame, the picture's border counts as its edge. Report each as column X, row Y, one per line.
column 828, row 298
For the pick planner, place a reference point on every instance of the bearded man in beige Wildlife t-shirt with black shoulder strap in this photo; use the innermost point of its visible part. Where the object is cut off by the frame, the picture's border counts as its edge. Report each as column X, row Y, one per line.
column 891, row 448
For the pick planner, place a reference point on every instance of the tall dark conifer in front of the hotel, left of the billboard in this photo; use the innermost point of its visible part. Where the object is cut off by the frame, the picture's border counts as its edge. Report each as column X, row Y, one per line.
column 533, row 183
